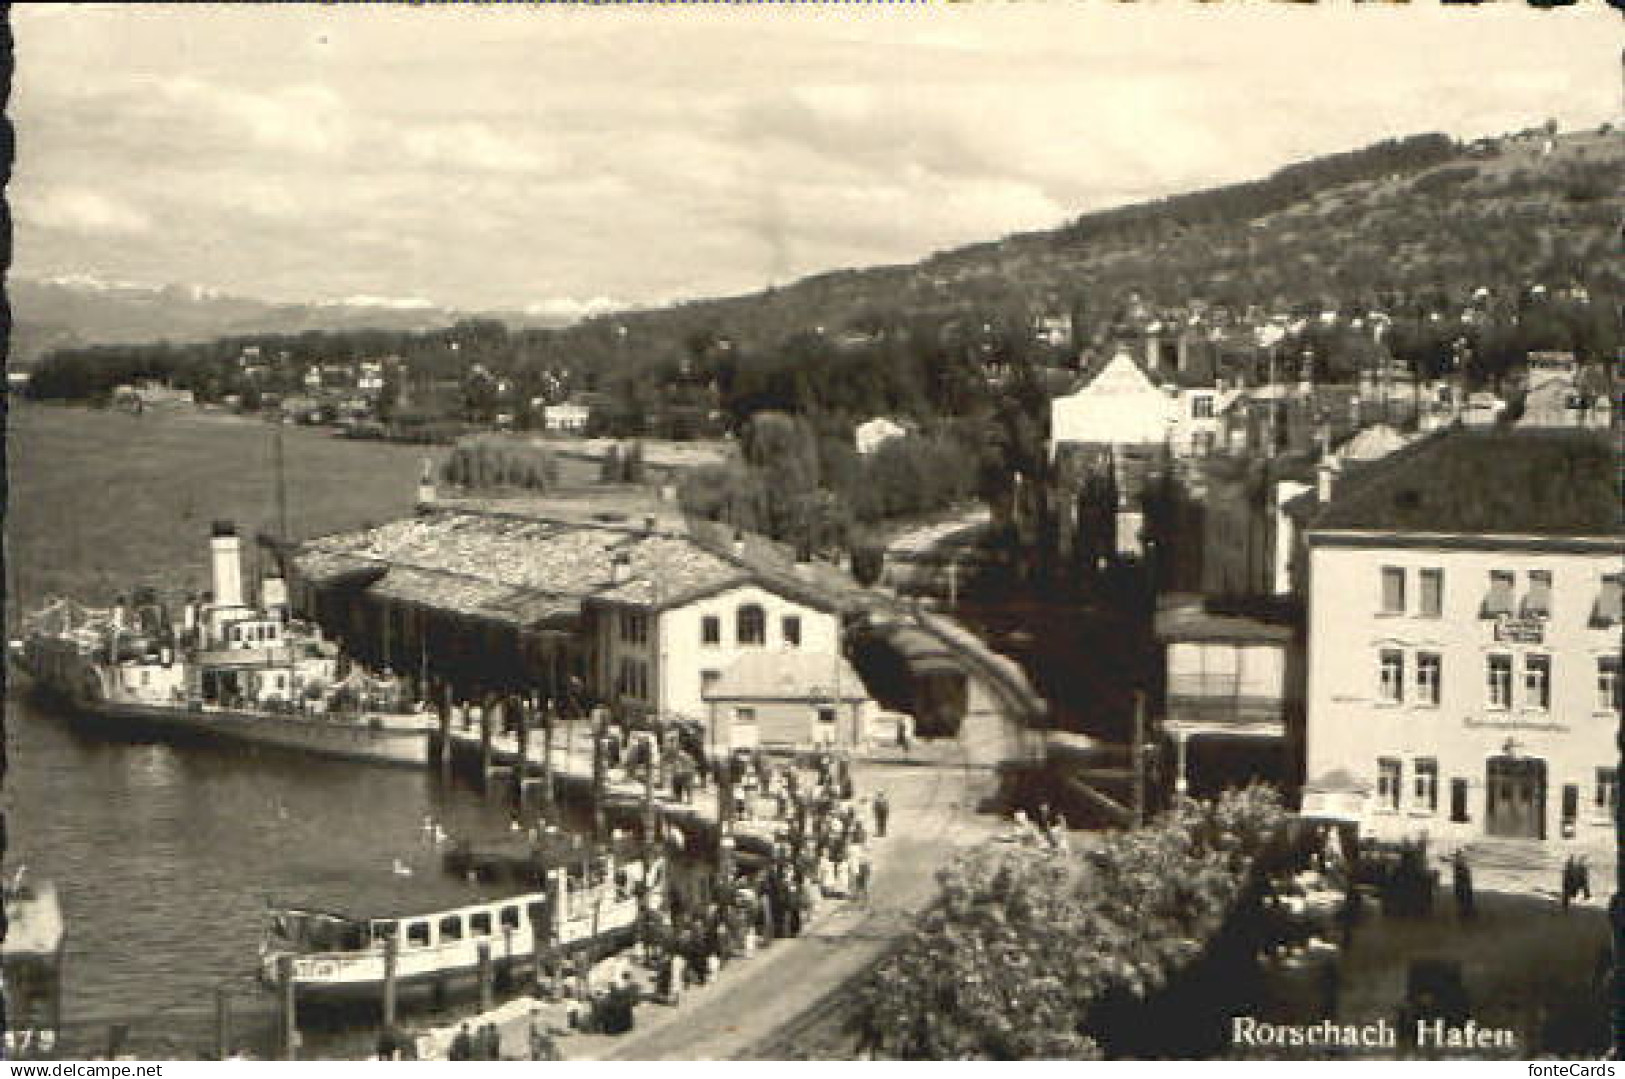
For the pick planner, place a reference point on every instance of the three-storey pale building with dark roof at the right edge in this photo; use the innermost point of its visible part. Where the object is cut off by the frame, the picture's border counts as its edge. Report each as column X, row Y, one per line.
column 1465, row 644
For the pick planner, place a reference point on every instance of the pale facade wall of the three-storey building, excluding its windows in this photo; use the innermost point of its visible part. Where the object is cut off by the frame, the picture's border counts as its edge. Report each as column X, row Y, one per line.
column 1351, row 726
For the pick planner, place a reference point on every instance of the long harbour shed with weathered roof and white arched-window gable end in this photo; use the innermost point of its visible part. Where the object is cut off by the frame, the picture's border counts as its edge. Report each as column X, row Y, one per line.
column 565, row 599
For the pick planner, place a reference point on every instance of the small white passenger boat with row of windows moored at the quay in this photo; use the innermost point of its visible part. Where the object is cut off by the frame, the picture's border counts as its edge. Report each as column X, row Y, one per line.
column 592, row 901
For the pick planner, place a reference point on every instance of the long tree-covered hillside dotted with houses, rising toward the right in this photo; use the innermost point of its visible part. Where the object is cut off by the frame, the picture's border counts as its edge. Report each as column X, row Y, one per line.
column 1462, row 251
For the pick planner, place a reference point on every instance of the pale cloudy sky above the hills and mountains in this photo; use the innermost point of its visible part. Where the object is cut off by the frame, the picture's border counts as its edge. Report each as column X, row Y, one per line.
column 566, row 158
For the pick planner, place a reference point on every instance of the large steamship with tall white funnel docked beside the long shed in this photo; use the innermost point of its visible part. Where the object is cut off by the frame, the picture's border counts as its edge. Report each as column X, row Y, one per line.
column 232, row 672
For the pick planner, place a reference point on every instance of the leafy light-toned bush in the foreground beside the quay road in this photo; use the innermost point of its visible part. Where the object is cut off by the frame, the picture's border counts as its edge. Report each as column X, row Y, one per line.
column 1023, row 947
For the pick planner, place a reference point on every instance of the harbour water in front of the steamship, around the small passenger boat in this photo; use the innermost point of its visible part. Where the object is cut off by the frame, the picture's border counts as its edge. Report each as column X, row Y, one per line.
column 165, row 859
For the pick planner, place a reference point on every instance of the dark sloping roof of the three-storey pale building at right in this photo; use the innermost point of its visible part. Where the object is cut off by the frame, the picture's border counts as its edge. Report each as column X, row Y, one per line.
column 1488, row 482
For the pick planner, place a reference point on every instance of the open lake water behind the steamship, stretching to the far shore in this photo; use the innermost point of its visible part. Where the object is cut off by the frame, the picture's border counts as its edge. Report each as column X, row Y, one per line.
column 102, row 501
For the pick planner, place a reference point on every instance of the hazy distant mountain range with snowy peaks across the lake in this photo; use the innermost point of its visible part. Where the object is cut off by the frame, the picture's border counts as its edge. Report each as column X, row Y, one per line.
column 79, row 311
